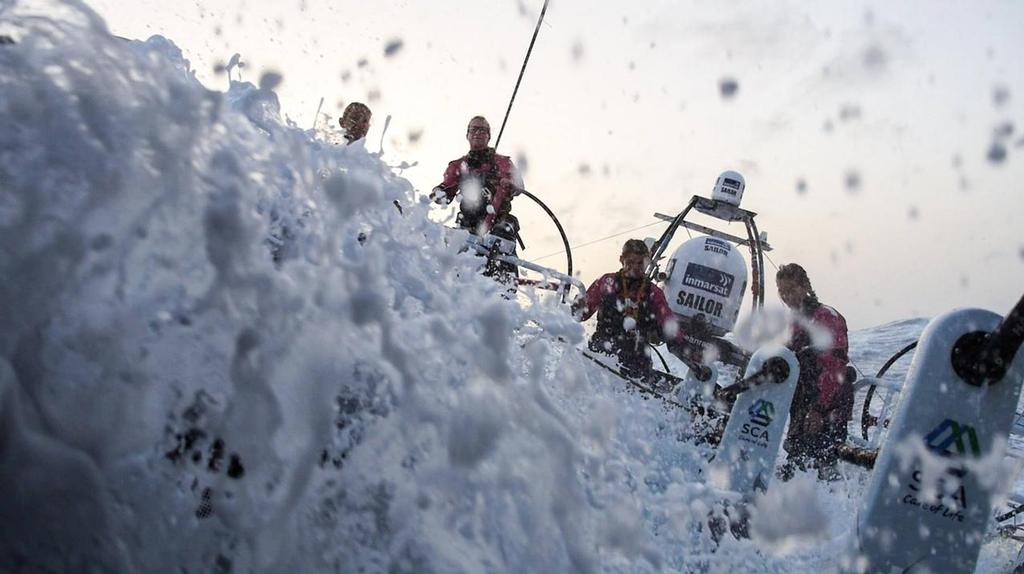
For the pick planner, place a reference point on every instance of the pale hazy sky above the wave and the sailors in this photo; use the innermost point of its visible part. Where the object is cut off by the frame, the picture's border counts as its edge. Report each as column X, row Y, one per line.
column 887, row 112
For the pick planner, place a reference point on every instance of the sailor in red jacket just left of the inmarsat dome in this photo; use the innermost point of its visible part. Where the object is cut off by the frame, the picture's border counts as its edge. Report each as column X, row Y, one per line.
column 631, row 311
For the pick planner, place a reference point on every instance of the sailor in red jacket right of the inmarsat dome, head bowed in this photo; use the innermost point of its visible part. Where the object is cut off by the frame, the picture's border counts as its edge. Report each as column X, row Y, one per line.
column 824, row 402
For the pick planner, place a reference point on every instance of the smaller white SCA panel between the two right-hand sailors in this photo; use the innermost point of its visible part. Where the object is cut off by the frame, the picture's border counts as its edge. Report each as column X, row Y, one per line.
column 746, row 460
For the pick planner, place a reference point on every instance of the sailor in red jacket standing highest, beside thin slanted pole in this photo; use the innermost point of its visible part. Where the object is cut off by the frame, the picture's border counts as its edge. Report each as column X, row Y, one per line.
column 488, row 182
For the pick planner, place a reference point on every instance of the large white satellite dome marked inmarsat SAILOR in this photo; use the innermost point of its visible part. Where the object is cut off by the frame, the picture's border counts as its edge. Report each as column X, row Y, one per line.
column 707, row 277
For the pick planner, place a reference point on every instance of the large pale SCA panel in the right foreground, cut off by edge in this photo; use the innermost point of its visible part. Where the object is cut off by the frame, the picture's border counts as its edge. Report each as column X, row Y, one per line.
column 928, row 503
